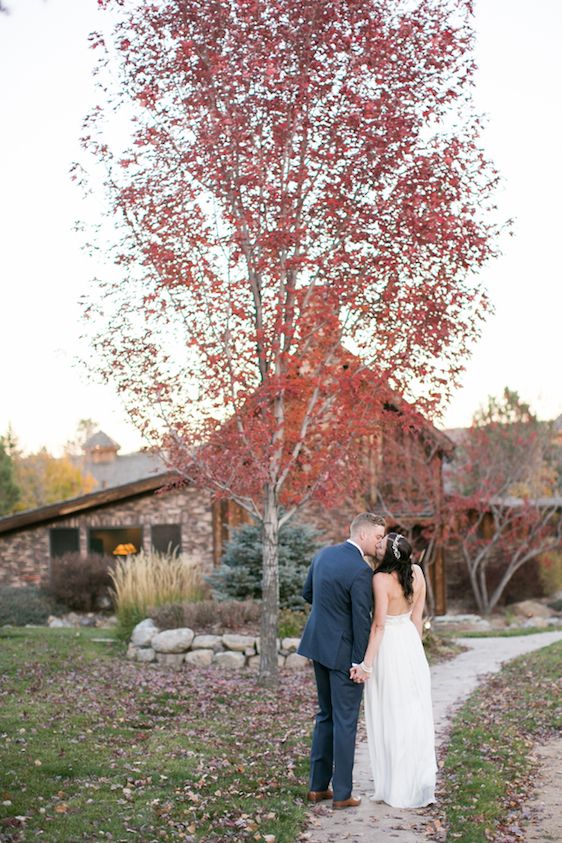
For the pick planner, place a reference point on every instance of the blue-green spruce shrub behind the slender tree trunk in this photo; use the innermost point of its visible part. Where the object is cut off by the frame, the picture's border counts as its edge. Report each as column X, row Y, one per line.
column 240, row 575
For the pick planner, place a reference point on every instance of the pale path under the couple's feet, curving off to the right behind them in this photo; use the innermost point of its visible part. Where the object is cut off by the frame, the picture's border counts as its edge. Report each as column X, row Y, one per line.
column 452, row 682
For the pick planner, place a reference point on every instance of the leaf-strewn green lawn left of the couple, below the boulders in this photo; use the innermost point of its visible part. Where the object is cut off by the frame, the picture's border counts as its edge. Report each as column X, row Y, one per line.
column 98, row 748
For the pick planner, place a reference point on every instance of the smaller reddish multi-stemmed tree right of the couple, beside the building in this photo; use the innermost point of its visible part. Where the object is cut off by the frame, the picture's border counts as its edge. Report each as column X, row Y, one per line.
column 503, row 512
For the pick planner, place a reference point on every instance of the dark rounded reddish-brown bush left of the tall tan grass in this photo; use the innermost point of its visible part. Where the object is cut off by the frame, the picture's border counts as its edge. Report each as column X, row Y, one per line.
column 79, row 582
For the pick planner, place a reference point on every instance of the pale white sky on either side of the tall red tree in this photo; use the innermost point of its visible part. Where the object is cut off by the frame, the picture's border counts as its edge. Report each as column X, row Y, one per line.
column 47, row 87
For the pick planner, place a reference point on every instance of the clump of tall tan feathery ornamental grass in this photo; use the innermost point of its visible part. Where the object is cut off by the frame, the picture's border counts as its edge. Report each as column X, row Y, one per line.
column 146, row 581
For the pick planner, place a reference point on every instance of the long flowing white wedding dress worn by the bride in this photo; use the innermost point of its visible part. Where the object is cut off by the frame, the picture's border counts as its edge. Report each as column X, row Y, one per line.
column 399, row 718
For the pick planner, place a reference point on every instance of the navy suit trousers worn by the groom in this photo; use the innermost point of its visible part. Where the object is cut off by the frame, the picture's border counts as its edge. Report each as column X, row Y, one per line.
column 333, row 742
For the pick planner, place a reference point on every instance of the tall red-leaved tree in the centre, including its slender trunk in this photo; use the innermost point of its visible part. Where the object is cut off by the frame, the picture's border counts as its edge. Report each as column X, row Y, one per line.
column 303, row 199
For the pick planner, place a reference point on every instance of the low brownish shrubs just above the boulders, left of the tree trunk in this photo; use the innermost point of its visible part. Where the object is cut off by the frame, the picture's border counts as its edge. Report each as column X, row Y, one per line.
column 230, row 615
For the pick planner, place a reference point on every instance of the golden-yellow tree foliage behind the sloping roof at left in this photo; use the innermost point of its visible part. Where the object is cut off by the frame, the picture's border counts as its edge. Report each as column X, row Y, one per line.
column 45, row 479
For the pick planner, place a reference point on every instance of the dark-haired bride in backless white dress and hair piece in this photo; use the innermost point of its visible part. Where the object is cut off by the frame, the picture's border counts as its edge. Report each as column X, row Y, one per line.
column 398, row 710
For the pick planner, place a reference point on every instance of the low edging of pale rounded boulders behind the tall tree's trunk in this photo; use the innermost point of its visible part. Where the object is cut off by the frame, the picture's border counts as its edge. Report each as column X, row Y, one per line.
column 174, row 647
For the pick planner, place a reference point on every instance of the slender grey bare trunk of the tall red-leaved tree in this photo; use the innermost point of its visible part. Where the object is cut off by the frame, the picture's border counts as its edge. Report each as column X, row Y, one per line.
column 268, row 673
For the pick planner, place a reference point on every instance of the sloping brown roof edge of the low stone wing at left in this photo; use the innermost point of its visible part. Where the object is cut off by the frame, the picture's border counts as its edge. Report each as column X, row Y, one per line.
column 103, row 497
